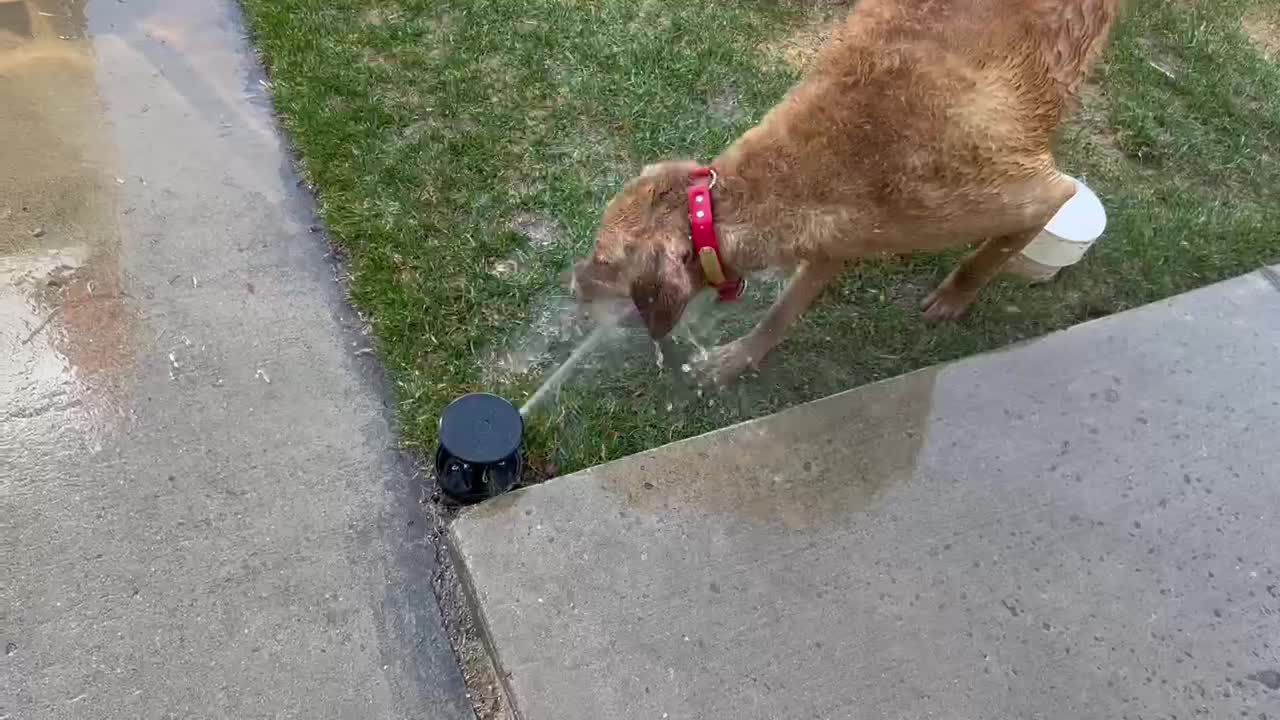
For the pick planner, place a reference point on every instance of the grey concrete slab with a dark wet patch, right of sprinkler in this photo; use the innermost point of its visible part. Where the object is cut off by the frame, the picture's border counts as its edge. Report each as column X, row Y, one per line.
column 1080, row 527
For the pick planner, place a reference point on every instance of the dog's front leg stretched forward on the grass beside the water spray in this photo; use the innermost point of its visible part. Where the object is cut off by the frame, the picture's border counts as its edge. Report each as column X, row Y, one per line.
column 728, row 362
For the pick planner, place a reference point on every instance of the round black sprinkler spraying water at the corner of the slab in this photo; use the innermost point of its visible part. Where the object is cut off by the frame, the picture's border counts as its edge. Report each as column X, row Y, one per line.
column 479, row 452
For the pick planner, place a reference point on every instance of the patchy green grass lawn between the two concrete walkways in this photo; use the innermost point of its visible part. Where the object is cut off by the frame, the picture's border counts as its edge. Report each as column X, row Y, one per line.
column 442, row 134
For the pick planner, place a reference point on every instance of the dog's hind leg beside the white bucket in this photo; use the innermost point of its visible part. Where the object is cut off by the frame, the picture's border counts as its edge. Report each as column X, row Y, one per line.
column 957, row 294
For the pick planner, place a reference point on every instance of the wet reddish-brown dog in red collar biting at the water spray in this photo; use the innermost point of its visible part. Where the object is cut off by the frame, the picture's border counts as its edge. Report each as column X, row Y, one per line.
column 924, row 125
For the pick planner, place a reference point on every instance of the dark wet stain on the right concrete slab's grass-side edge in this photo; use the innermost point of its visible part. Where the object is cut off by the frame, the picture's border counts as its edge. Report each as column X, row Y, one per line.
column 799, row 470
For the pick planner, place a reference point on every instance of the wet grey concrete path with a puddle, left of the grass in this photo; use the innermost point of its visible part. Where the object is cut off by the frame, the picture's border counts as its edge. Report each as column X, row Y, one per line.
column 203, row 512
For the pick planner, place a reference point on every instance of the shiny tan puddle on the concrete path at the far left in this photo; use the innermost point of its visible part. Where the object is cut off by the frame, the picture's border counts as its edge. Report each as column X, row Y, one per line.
column 63, row 322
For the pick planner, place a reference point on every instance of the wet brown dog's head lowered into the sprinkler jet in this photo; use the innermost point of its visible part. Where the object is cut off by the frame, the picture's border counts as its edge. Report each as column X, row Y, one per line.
column 643, row 256
